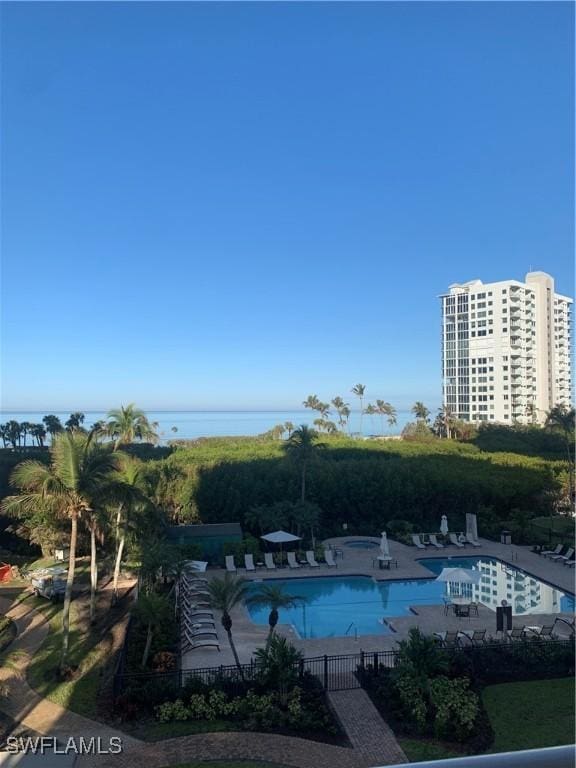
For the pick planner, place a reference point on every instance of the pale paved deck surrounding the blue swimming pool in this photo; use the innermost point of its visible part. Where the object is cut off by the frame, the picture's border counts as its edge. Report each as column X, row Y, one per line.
column 359, row 562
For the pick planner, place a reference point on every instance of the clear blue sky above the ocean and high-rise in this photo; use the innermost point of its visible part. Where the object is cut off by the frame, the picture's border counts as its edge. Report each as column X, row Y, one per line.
column 236, row 205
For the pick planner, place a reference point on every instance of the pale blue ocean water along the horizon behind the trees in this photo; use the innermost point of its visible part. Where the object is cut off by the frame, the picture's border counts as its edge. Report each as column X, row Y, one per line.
column 187, row 425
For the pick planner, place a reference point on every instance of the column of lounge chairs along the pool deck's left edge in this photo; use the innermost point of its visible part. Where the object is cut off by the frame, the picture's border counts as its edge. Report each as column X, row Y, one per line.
column 197, row 624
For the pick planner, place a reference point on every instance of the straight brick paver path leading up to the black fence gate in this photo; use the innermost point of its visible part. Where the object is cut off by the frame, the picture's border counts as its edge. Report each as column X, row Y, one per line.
column 368, row 733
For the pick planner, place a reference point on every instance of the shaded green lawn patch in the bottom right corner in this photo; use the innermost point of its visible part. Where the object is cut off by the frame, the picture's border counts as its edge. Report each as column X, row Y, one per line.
column 538, row 713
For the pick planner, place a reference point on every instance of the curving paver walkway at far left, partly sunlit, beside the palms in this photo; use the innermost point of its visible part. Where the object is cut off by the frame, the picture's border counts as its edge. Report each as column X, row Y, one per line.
column 23, row 704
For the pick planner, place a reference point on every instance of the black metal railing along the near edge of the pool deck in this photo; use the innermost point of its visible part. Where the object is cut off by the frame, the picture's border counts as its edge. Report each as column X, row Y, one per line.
column 338, row 672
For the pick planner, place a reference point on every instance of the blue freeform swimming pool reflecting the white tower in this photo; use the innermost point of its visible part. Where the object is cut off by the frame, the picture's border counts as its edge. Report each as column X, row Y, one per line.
column 336, row 606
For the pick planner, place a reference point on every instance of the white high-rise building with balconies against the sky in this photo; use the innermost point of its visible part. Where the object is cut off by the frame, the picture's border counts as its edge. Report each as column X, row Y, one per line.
column 506, row 349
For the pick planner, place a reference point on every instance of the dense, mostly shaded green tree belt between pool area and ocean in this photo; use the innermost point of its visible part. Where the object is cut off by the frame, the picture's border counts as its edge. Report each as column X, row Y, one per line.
column 362, row 483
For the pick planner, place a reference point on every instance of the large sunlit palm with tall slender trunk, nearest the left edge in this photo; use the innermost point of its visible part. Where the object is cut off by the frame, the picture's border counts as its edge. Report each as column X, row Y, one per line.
column 70, row 488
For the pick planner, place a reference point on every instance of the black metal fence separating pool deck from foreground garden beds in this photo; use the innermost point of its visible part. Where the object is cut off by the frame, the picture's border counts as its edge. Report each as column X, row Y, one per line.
column 340, row 672
